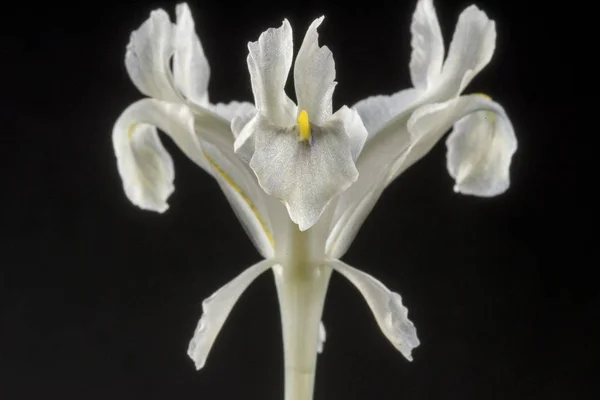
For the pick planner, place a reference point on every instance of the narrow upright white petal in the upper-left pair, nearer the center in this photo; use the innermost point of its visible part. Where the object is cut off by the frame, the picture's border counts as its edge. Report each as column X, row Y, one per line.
column 190, row 65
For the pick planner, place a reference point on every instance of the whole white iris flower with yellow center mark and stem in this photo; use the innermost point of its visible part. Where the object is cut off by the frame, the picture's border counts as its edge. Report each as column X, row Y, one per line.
column 302, row 178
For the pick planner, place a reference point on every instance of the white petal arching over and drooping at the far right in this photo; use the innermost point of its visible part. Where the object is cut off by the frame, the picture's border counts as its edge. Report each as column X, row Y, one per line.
column 479, row 152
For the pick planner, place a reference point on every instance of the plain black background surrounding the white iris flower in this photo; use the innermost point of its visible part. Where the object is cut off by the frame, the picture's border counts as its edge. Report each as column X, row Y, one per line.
column 99, row 299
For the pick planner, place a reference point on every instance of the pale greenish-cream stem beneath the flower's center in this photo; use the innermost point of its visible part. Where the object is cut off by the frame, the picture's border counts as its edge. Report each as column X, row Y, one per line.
column 301, row 286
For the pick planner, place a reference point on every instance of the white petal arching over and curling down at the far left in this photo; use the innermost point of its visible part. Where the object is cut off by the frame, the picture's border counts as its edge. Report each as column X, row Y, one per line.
column 144, row 165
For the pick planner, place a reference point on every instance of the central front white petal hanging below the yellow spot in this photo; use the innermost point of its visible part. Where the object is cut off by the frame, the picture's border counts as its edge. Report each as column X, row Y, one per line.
column 304, row 175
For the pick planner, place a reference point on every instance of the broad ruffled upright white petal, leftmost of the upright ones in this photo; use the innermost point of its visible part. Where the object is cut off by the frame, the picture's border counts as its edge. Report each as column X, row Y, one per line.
column 147, row 59
